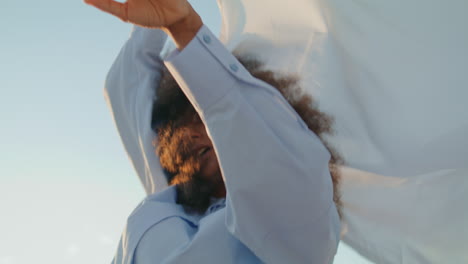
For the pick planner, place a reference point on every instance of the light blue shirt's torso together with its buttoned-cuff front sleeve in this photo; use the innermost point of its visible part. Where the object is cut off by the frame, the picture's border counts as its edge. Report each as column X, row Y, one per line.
column 279, row 205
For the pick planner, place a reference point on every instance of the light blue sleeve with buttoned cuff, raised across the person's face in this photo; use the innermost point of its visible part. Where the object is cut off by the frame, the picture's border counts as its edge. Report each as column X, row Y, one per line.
column 279, row 189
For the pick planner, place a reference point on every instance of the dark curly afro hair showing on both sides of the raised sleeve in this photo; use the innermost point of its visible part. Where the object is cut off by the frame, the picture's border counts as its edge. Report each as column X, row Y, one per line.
column 171, row 105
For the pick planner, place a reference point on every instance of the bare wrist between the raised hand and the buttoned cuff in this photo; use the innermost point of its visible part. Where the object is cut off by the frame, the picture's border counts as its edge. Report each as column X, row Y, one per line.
column 184, row 30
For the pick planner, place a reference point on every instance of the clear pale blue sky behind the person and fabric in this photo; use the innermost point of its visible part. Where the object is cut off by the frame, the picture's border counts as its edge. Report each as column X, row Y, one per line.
column 66, row 185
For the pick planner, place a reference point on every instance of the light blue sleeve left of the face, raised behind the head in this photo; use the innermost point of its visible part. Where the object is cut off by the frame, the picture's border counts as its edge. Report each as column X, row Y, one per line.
column 129, row 91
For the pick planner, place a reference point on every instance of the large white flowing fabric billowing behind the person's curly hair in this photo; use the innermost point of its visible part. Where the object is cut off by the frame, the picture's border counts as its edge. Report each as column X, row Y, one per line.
column 393, row 74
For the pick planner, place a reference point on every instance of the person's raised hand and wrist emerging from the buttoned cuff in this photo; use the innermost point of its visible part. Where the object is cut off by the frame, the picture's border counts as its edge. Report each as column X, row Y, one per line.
column 176, row 17
